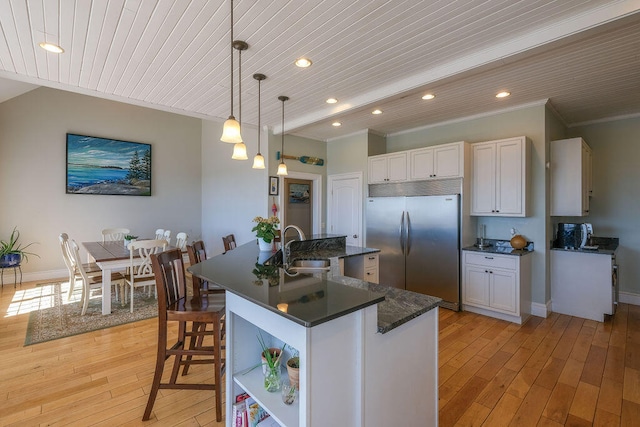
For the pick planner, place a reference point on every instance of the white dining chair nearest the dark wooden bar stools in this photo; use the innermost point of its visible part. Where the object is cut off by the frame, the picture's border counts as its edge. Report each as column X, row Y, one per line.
column 140, row 269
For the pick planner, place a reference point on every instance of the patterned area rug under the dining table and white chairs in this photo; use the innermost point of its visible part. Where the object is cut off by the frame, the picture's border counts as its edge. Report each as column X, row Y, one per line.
column 53, row 316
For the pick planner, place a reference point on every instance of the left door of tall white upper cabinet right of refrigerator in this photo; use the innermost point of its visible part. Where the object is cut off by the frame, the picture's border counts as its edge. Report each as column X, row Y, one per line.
column 483, row 179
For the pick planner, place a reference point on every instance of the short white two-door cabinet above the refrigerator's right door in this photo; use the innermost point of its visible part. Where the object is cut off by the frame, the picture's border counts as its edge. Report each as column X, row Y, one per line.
column 440, row 161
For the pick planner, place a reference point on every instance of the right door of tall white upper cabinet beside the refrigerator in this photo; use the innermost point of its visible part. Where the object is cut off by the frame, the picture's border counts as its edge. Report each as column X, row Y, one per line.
column 509, row 177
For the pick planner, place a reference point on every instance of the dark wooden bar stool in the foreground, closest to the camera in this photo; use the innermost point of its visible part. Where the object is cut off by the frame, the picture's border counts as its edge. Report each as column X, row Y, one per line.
column 174, row 305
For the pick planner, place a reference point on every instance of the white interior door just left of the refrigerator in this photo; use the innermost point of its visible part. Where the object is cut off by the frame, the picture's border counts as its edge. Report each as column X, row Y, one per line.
column 345, row 207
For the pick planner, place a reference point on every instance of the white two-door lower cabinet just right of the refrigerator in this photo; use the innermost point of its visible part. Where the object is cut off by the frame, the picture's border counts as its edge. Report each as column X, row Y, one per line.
column 497, row 285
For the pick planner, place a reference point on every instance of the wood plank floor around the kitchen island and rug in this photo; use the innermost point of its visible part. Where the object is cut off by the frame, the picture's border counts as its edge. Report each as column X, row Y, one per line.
column 556, row 371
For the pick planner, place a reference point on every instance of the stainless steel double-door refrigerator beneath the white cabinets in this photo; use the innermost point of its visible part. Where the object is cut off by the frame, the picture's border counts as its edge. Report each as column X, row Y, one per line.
column 419, row 242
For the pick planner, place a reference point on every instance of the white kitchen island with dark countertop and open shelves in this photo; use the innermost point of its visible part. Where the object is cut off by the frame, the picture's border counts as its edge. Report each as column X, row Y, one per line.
column 368, row 353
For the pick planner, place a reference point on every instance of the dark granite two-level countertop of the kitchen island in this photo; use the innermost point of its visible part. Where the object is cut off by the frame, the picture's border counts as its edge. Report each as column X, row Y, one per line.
column 311, row 299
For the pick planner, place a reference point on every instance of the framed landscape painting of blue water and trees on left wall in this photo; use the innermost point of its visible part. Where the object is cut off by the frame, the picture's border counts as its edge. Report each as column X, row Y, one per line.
column 107, row 166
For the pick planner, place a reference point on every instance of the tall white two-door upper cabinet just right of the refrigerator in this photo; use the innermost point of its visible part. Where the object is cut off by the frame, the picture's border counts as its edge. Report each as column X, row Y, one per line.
column 500, row 177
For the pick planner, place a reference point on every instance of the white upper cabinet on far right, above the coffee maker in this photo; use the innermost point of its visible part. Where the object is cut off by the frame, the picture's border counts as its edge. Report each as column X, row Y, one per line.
column 570, row 177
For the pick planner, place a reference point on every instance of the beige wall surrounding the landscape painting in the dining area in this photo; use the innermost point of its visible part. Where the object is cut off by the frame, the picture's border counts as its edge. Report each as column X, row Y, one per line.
column 33, row 131
